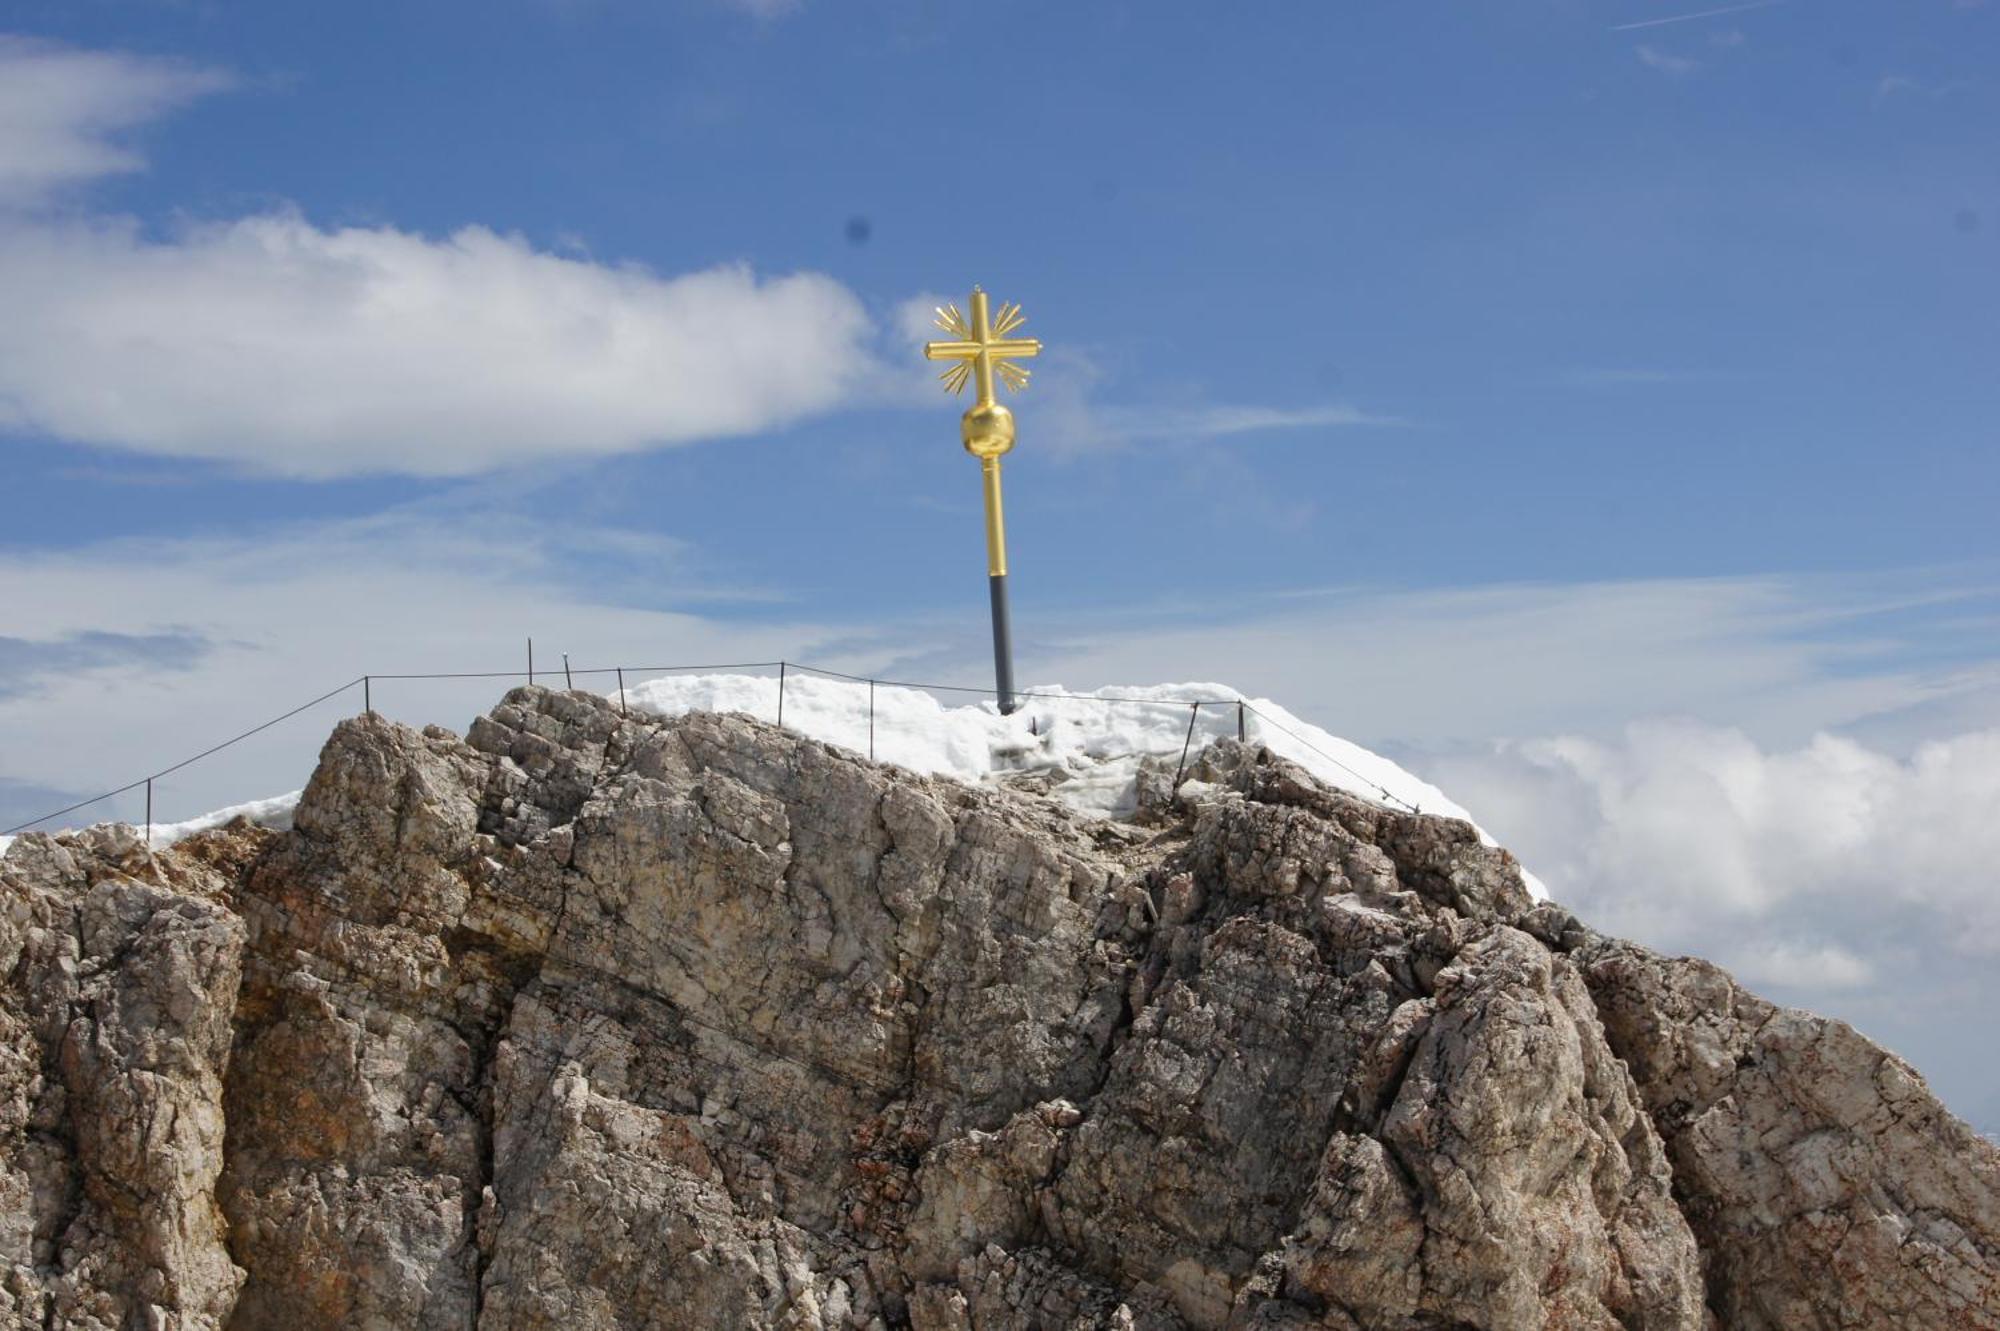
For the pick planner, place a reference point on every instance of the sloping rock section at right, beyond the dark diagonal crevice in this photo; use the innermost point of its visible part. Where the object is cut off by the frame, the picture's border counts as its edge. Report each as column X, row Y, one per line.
column 1825, row 1182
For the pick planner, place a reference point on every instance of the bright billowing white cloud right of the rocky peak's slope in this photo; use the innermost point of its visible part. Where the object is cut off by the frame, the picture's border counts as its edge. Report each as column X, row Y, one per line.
column 1677, row 822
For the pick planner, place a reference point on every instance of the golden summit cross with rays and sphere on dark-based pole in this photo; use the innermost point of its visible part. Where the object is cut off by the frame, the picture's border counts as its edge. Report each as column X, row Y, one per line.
column 983, row 353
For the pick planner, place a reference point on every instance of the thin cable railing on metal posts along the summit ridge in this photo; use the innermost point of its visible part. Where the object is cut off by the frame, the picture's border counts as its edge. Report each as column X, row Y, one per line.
column 785, row 668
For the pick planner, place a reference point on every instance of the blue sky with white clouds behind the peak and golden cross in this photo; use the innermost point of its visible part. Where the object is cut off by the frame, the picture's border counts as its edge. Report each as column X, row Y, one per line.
column 1473, row 379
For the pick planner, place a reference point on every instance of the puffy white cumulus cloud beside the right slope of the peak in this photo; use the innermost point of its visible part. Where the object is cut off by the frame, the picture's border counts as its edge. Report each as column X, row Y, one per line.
column 1795, row 864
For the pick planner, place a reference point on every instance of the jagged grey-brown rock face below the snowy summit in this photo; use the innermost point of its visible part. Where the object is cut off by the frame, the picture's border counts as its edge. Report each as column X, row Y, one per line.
column 599, row 1022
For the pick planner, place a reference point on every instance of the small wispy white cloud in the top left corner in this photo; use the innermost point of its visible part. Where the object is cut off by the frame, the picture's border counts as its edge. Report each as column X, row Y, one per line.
column 63, row 111
